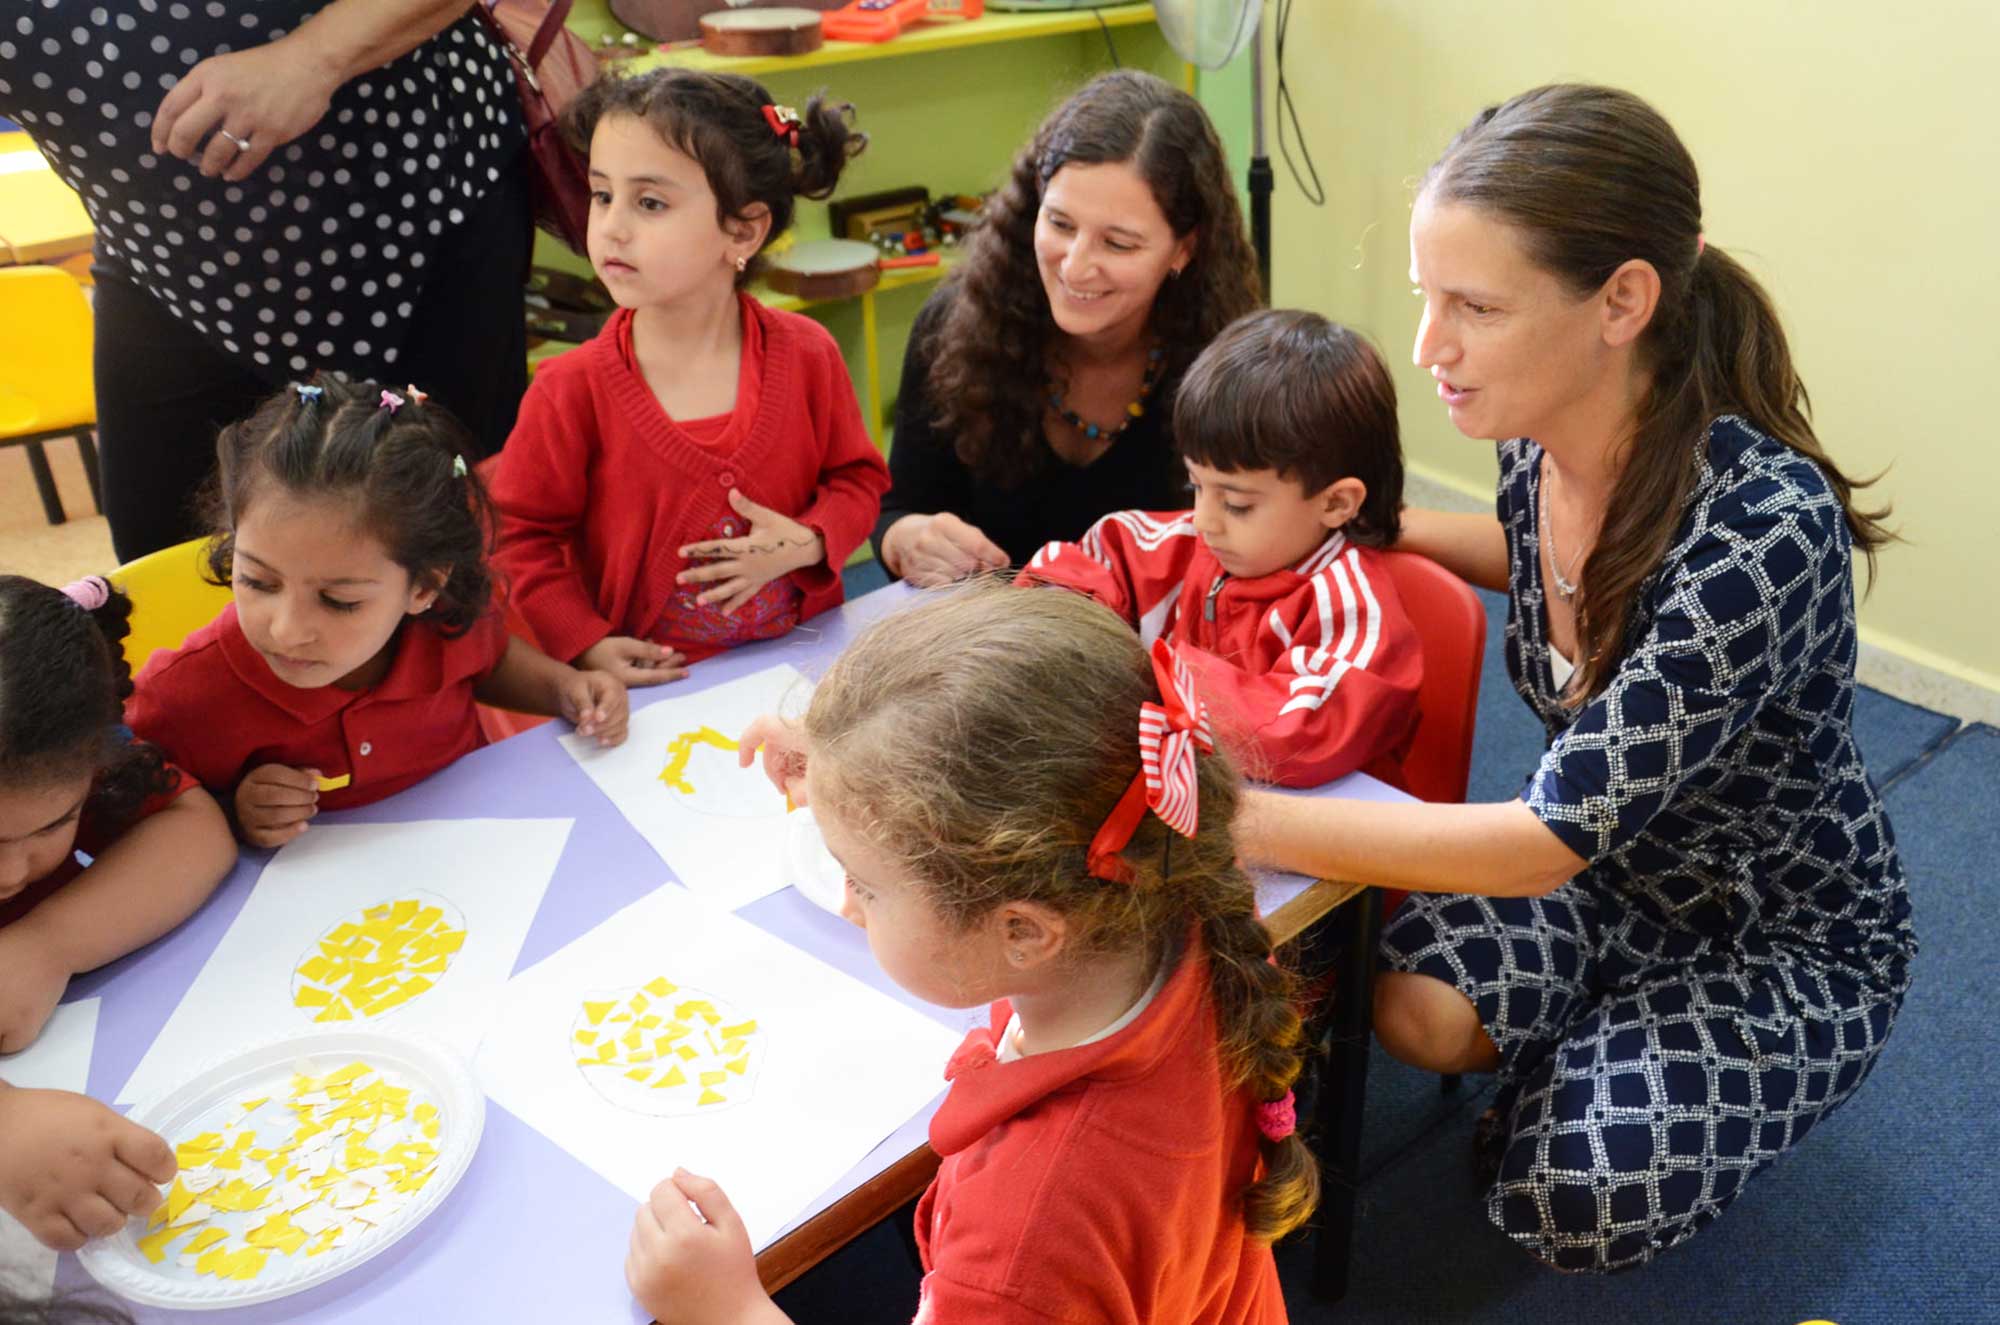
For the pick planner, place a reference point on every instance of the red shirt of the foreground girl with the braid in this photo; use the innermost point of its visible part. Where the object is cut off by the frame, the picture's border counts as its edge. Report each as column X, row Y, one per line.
column 1099, row 1184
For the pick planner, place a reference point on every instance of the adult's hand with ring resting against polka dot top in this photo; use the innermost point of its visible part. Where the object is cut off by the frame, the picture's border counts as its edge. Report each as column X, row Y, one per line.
column 233, row 111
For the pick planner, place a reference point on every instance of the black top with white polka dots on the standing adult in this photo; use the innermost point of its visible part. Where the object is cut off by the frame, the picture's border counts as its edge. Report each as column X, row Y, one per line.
column 319, row 257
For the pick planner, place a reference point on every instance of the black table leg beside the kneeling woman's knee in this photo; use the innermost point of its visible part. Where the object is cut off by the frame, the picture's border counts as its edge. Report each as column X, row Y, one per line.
column 1345, row 1092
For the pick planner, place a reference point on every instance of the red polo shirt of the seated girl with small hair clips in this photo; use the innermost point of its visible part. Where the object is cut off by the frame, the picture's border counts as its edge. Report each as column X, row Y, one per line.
column 219, row 712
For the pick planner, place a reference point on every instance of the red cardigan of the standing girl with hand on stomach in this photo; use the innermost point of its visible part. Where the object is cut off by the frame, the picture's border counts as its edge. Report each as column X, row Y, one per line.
column 599, row 487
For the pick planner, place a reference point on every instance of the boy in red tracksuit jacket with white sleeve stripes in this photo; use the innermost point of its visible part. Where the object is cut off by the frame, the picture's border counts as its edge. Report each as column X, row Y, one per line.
column 1273, row 589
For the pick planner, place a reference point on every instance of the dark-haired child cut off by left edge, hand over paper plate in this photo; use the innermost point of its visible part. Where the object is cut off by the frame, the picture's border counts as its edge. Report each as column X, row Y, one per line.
column 103, row 850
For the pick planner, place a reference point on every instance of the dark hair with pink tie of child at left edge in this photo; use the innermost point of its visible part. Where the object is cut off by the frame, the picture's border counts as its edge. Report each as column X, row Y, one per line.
column 63, row 690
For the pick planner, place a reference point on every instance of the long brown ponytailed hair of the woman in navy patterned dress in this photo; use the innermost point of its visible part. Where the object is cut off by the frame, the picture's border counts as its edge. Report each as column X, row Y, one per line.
column 1593, row 179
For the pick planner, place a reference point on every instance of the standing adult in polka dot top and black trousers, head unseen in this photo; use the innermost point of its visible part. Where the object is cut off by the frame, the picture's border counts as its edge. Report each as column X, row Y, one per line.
column 277, row 187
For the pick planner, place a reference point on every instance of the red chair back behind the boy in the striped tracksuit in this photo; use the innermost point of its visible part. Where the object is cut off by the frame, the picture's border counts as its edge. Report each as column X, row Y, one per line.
column 1453, row 625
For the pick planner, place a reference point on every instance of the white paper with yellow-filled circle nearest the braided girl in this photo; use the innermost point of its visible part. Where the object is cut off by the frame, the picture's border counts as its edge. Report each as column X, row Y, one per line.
column 839, row 1066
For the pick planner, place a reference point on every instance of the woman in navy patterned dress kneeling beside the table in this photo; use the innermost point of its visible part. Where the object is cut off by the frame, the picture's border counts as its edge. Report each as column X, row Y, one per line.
column 1689, row 938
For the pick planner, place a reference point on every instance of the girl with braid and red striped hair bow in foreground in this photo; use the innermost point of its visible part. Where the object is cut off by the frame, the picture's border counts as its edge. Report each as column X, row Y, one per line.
column 1033, row 816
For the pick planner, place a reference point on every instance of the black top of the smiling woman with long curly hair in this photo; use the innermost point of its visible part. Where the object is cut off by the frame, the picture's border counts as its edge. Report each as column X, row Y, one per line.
column 1061, row 501
